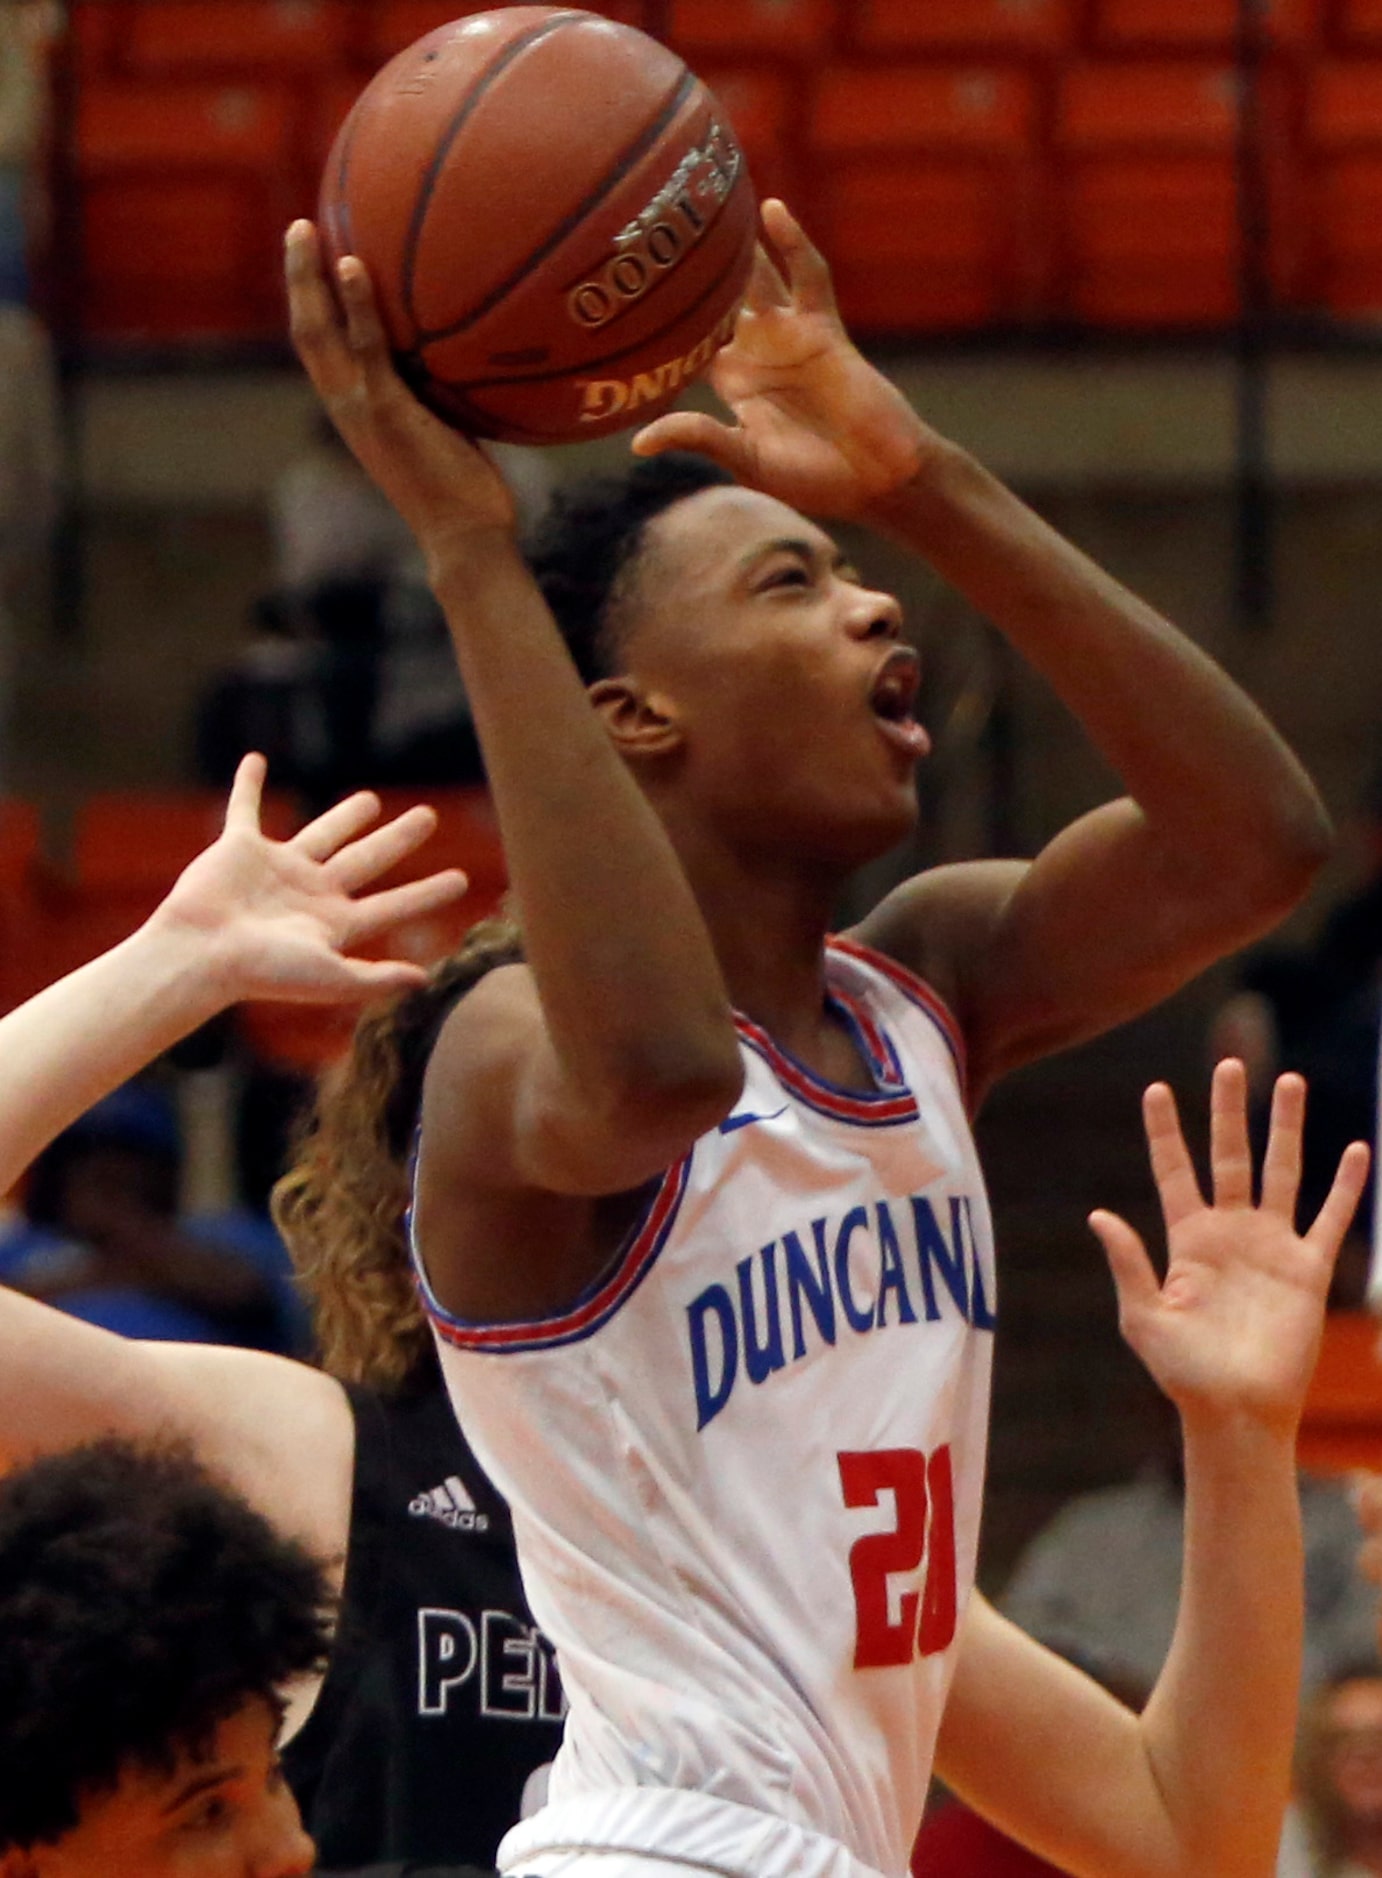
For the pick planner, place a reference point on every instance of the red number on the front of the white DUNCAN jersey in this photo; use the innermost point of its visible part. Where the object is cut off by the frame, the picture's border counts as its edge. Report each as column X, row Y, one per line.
column 923, row 1496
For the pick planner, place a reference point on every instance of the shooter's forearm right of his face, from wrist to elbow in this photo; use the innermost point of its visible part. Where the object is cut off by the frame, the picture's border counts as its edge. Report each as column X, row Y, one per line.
column 1188, row 743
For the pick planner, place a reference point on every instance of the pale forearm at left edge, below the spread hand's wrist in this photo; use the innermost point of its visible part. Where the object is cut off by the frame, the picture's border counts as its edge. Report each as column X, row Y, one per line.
column 93, row 1030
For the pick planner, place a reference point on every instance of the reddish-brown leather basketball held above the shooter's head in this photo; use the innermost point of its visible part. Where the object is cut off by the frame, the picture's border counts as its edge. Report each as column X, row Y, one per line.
column 557, row 219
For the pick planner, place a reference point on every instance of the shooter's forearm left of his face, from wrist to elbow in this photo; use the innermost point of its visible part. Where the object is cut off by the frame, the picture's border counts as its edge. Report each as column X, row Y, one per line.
column 619, row 949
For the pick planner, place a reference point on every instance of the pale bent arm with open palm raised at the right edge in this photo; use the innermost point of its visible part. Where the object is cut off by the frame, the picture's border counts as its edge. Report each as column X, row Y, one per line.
column 1199, row 1783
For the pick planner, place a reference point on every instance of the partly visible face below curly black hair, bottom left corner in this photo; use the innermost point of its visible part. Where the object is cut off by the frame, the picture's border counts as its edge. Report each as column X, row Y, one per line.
column 223, row 1815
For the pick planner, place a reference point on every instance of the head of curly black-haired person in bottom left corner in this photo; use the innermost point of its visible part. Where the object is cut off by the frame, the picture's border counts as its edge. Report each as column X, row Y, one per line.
column 149, row 1625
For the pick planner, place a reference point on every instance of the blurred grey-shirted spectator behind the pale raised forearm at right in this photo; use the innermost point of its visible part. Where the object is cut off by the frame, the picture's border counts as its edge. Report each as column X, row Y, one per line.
column 1101, row 1582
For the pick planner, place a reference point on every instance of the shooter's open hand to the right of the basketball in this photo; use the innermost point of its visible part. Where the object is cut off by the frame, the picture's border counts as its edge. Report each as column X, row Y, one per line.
column 816, row 423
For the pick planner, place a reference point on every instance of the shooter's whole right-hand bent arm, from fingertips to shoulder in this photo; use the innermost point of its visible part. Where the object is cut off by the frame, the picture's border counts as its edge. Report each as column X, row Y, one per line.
column 1221, row 831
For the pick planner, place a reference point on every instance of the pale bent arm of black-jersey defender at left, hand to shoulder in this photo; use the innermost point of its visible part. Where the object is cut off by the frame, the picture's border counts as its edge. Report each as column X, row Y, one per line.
column 249, row 919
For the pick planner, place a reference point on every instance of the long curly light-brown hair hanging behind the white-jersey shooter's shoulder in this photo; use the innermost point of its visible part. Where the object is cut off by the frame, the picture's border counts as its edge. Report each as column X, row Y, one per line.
column 343, row 1207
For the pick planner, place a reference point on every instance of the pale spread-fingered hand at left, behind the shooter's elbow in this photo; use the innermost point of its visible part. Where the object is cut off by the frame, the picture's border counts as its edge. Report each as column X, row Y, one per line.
column 277, row 917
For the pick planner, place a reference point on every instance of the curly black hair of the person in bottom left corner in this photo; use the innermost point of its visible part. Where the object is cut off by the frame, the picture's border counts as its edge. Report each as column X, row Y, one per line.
column 142, row 1605
